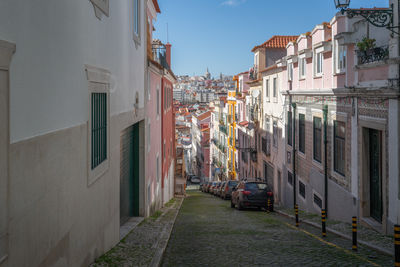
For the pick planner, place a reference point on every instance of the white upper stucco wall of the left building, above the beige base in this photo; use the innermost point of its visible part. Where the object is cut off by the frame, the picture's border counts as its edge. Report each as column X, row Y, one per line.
column 54, row 40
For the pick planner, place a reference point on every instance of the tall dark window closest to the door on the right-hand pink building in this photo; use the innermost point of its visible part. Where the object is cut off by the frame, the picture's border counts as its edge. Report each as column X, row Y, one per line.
column 339, row 147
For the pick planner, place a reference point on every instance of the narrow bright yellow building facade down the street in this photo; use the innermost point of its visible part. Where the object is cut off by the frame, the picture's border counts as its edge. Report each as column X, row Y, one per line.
column 232, row 131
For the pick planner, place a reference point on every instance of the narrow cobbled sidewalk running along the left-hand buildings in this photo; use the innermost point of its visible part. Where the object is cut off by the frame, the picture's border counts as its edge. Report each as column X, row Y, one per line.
column 146, row 243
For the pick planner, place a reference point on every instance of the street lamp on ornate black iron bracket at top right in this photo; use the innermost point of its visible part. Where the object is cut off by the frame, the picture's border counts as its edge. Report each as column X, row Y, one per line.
column 379, row 17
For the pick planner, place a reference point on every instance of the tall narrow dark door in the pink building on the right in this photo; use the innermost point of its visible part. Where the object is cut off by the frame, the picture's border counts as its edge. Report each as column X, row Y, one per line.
column 375, row 172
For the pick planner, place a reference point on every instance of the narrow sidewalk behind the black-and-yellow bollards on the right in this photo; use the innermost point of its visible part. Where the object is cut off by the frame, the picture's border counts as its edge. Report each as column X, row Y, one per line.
column 366, row 236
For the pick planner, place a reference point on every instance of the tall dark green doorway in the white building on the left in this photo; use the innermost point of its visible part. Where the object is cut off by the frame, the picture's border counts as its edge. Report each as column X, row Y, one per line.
column 129, row 174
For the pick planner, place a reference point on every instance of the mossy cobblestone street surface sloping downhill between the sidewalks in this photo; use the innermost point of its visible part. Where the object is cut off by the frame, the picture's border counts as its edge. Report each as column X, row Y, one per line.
column 208, row 232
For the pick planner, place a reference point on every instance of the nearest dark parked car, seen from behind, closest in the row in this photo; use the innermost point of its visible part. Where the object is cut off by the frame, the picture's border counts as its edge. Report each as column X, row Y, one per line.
column 252, row 194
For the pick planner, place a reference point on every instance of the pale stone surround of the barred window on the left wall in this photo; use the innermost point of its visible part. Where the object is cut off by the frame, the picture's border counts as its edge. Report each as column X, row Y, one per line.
column 99, row 82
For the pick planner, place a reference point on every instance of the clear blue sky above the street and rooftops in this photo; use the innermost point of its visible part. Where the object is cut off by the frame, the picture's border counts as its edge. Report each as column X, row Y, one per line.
column 220, row 34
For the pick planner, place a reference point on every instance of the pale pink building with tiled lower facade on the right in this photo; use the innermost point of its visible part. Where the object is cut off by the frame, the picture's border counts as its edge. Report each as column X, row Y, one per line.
column 336, row 85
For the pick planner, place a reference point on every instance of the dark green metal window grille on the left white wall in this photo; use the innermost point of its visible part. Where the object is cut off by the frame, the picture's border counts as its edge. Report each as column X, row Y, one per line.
column 99, row 129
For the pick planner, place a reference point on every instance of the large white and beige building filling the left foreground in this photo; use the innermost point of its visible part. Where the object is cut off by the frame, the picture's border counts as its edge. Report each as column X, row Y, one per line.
column 72, row 117
